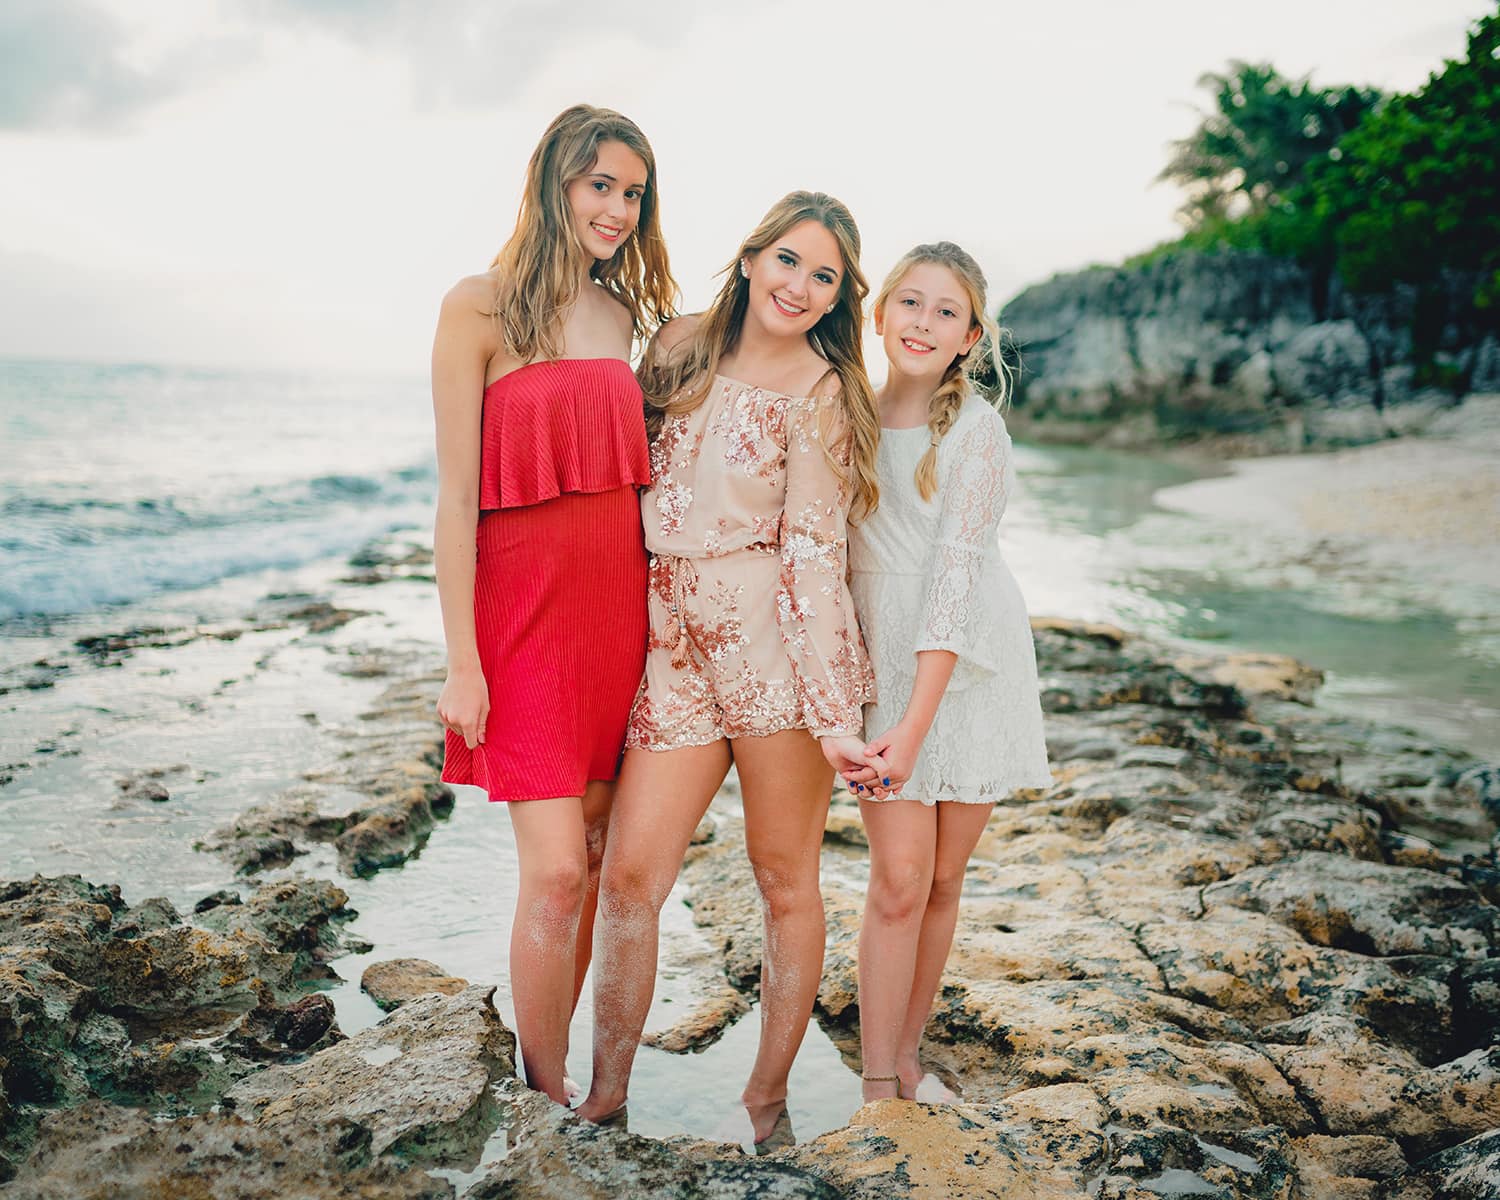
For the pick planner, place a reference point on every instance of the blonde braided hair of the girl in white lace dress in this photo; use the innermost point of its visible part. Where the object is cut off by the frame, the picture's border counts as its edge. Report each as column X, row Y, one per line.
column 983, row 368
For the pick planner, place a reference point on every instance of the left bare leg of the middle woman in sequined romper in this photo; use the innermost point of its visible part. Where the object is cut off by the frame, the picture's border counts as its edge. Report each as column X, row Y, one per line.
column 659, row 802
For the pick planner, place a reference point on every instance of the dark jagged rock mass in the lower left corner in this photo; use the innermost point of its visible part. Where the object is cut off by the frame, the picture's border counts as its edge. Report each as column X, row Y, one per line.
column 134, row 1004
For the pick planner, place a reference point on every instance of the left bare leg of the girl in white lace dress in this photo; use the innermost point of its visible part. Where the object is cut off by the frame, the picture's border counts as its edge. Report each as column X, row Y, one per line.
column 904, row 836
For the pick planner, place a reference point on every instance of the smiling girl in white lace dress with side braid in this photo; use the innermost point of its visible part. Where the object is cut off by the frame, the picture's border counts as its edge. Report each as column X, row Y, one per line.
column 958, row 716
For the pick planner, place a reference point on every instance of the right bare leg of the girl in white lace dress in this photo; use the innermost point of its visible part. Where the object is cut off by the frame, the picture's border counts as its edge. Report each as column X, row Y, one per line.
column 959, row 830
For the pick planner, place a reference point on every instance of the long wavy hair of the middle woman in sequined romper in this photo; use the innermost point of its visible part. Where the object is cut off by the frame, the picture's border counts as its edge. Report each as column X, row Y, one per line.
column 679, row 382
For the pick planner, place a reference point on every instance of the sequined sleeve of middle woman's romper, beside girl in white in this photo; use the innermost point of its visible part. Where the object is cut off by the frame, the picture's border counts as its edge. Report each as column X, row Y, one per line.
column 812, row 602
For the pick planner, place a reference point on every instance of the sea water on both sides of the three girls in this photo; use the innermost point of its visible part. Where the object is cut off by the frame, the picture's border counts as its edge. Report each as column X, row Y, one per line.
column 130, row 487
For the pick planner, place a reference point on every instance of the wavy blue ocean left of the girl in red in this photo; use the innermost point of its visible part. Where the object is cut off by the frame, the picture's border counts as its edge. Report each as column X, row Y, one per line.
column 121, row 484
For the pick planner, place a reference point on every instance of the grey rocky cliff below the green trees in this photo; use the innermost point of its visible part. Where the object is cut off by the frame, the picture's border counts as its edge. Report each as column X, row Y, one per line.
column 1252, row 352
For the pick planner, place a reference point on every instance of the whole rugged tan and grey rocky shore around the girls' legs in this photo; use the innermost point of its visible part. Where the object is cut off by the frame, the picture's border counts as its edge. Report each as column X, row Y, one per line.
column 1240, row 949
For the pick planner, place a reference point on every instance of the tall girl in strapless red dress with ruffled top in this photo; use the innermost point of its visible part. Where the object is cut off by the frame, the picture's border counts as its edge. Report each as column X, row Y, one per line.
column 541, row 565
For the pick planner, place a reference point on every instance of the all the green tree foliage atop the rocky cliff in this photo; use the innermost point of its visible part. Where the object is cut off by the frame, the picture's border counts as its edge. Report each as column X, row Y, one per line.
column 1408, row 194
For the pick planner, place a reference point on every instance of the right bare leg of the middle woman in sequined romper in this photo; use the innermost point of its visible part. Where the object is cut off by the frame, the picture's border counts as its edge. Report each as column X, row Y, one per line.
column 787, row 787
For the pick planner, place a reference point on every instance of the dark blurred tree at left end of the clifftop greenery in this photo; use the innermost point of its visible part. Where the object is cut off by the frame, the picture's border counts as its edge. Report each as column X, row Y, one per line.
column 1258, row 140
